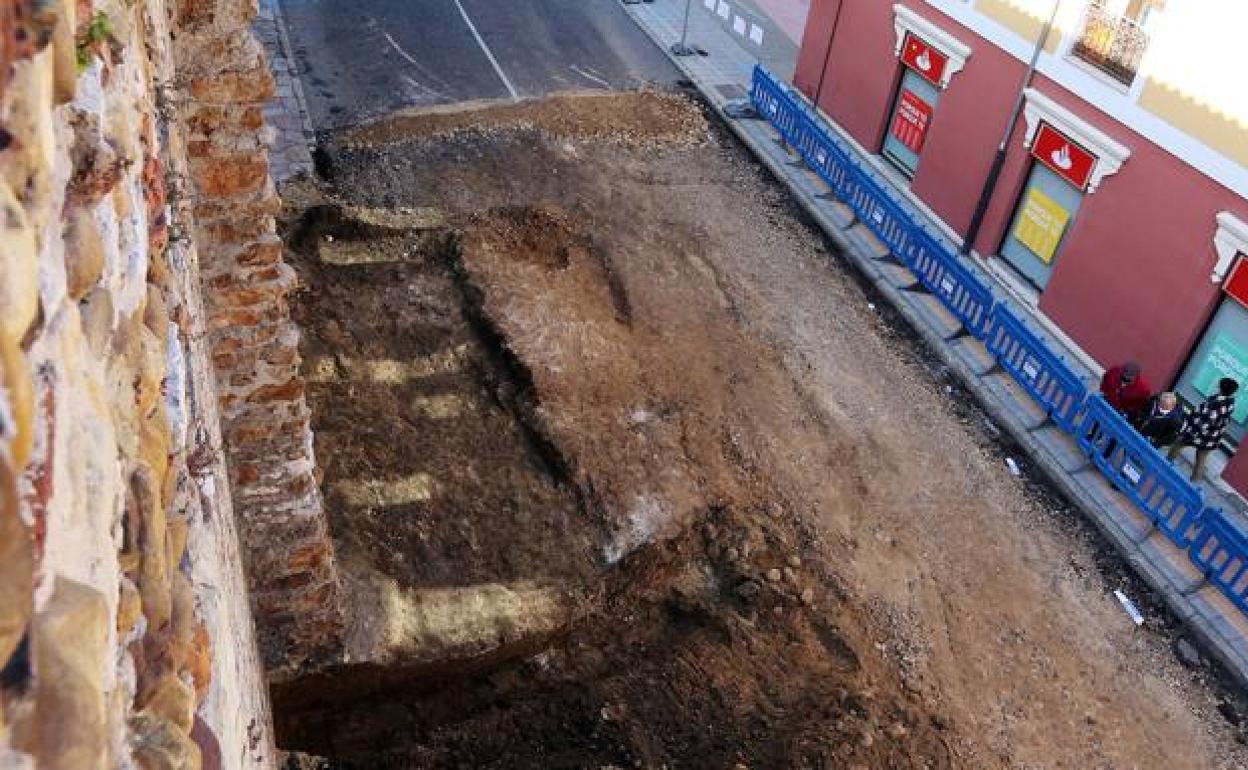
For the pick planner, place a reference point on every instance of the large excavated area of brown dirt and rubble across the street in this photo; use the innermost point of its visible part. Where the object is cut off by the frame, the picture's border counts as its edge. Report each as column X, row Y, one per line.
column 781, row 540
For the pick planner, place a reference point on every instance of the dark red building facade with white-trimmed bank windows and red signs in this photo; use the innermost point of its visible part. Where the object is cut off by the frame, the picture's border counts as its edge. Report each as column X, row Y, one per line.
column 1119, row 227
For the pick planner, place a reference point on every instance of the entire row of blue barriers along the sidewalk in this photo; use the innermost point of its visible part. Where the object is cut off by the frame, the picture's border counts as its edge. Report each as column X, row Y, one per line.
column 1217, row 547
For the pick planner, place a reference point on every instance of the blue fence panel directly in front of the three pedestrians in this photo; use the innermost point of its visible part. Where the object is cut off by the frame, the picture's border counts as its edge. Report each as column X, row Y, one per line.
column 1141, row 472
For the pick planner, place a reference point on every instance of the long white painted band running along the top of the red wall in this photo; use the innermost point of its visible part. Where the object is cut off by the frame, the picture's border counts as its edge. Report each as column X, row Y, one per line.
column 1114, row 103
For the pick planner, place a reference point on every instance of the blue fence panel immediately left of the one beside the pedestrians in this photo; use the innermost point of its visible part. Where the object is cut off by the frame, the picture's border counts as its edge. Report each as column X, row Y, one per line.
column 1035, row 368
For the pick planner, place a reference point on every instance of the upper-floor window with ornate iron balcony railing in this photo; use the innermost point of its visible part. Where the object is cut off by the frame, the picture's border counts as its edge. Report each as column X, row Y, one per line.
column 1115, row 37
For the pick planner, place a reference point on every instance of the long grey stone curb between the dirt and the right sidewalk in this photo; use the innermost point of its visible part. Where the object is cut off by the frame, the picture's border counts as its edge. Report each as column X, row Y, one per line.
column 1205, row 633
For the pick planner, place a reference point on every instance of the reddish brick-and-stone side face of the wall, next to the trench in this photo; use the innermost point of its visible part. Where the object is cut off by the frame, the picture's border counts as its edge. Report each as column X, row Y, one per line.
column 255, row 345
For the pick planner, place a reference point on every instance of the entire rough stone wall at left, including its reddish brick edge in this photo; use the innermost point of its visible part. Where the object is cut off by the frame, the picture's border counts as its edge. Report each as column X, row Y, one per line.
column 148, row 395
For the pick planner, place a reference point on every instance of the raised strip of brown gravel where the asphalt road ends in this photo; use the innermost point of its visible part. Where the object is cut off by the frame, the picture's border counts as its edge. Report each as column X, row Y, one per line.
column 630, row 118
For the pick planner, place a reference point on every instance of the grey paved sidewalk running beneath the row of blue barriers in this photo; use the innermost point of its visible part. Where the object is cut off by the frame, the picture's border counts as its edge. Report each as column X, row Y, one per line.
column 726, row 74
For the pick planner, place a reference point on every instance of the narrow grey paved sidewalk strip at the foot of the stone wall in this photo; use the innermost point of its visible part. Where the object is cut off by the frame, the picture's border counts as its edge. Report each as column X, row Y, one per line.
column 290, row 154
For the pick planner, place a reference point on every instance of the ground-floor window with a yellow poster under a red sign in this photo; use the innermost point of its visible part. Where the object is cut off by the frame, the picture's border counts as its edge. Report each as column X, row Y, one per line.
column 1044, row 215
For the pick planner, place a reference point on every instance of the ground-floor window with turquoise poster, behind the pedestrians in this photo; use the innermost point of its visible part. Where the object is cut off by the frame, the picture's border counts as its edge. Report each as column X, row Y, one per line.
column 1222, row 353
